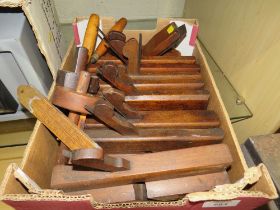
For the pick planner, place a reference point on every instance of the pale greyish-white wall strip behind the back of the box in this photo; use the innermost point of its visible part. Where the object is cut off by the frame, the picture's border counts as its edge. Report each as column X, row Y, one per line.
column 132, row 9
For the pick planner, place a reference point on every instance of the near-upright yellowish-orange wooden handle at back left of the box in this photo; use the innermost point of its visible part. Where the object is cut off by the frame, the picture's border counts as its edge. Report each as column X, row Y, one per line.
column 91, row 34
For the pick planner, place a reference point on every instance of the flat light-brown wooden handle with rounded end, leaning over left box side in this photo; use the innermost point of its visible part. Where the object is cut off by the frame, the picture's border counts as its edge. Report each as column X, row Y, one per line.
column 53, row 119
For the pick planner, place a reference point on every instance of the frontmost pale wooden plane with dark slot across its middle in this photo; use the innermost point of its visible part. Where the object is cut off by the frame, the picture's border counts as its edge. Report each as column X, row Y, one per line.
column 162, row 190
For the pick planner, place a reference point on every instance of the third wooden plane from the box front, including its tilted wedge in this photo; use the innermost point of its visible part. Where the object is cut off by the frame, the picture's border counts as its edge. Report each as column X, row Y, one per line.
column 128, row 137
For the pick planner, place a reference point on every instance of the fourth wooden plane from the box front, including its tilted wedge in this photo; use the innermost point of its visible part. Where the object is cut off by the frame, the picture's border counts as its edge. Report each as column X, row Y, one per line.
column 155, row 119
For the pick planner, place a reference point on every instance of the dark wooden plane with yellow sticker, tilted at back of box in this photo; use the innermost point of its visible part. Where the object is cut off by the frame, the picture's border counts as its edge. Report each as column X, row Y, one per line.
column 164, row 40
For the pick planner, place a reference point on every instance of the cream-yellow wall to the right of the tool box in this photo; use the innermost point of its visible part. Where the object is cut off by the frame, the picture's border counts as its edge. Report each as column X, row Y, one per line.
column 244, row 39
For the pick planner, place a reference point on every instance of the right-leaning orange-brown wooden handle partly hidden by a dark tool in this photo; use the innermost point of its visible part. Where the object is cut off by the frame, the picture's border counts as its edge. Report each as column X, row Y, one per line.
column 102, row 48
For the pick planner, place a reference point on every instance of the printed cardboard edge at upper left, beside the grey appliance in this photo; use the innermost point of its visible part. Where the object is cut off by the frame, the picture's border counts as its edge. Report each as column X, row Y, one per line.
column 42, row 17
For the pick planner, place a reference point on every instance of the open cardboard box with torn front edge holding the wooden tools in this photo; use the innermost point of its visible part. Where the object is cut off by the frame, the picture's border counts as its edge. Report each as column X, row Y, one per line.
column 251, row 187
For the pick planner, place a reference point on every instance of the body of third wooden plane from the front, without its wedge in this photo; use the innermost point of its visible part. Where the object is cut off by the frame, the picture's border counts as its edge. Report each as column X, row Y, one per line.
column 154, row 140
